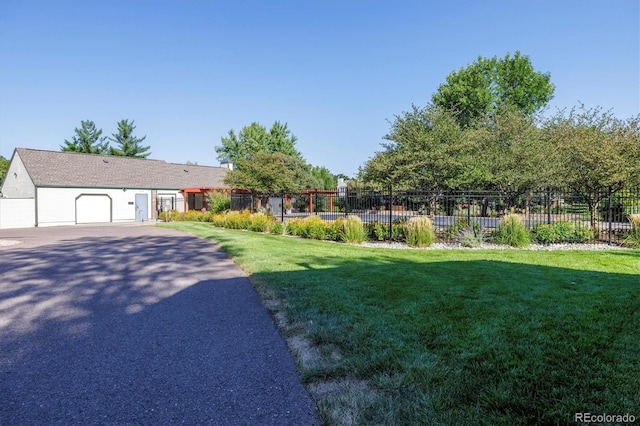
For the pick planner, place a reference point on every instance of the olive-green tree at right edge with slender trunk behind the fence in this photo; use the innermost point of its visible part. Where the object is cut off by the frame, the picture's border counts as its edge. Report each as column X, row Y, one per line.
column 600, row 153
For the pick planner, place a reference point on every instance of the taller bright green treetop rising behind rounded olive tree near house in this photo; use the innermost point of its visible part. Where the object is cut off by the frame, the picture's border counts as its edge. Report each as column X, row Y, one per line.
column 255, row 138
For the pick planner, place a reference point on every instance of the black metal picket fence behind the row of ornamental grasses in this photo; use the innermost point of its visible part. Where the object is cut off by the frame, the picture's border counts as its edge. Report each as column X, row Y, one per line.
column 604, row 213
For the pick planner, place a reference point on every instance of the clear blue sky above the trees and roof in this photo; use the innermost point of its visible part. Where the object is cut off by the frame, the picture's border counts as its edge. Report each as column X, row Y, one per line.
column 336, row 71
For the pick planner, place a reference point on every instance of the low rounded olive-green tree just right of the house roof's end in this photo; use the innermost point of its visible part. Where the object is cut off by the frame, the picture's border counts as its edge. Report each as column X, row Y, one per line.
column 263, row 173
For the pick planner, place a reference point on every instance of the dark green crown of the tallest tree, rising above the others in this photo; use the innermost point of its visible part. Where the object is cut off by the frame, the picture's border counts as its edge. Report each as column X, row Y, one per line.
column 485, row 86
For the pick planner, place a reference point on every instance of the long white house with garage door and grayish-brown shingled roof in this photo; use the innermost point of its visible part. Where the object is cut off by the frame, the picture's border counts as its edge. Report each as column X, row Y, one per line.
column 50, row 188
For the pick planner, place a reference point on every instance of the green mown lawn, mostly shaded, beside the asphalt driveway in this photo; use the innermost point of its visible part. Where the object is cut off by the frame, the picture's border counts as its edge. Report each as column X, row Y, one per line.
column 495, row 337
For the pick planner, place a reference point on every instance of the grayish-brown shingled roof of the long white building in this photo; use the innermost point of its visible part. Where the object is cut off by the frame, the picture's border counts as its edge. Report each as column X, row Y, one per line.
column 71, row 169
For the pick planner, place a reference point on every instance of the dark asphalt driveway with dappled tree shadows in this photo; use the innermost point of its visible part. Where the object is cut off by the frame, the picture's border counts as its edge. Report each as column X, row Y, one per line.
column 134, row 324
